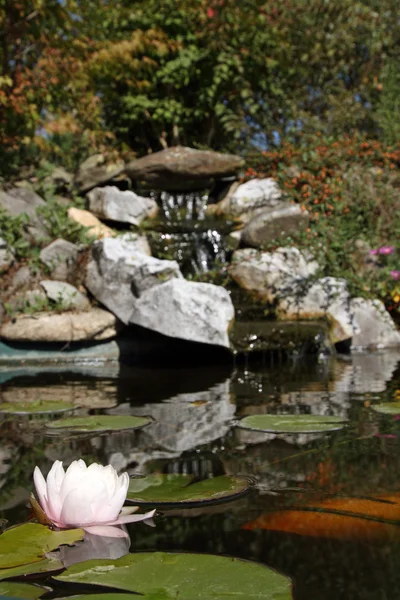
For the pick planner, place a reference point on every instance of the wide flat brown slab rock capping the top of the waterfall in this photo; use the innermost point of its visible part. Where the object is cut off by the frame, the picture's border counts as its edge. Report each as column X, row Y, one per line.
column 181, row 169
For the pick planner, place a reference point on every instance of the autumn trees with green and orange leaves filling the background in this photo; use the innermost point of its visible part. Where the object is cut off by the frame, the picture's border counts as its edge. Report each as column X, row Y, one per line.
column 141, row 76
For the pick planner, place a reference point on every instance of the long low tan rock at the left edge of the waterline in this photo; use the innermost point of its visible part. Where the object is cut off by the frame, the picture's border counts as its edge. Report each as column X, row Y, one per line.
column 93, row 325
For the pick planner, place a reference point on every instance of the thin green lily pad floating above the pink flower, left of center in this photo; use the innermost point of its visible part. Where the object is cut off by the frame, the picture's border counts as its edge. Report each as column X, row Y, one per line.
column 95, row 423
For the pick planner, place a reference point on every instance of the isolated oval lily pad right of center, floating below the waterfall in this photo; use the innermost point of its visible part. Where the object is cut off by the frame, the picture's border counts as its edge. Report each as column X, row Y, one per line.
column 291, row 423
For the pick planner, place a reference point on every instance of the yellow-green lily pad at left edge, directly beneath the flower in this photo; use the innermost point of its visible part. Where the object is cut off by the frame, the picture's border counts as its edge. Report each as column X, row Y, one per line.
column 28, row 543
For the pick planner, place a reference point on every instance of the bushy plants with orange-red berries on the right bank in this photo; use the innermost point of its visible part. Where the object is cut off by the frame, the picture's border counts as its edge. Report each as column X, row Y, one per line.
column 350, row 188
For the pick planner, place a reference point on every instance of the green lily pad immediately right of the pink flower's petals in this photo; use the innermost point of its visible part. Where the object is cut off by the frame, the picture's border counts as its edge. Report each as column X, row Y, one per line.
column 169, row 490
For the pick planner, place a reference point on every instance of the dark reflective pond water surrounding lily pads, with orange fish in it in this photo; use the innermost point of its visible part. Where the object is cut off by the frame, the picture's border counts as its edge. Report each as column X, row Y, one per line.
column 325, row 507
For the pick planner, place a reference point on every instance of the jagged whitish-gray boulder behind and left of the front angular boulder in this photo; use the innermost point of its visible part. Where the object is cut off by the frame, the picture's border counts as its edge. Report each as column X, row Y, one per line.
column 118, row 273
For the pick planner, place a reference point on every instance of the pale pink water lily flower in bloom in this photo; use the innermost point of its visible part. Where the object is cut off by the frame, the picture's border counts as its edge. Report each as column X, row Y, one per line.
column 87, row 497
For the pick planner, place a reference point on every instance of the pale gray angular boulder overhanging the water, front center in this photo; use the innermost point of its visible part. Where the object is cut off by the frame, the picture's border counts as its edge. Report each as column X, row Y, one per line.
column 198, row 312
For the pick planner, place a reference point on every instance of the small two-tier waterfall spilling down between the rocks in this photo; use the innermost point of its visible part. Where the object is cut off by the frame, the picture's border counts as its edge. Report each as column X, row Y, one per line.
column 186, row 234
